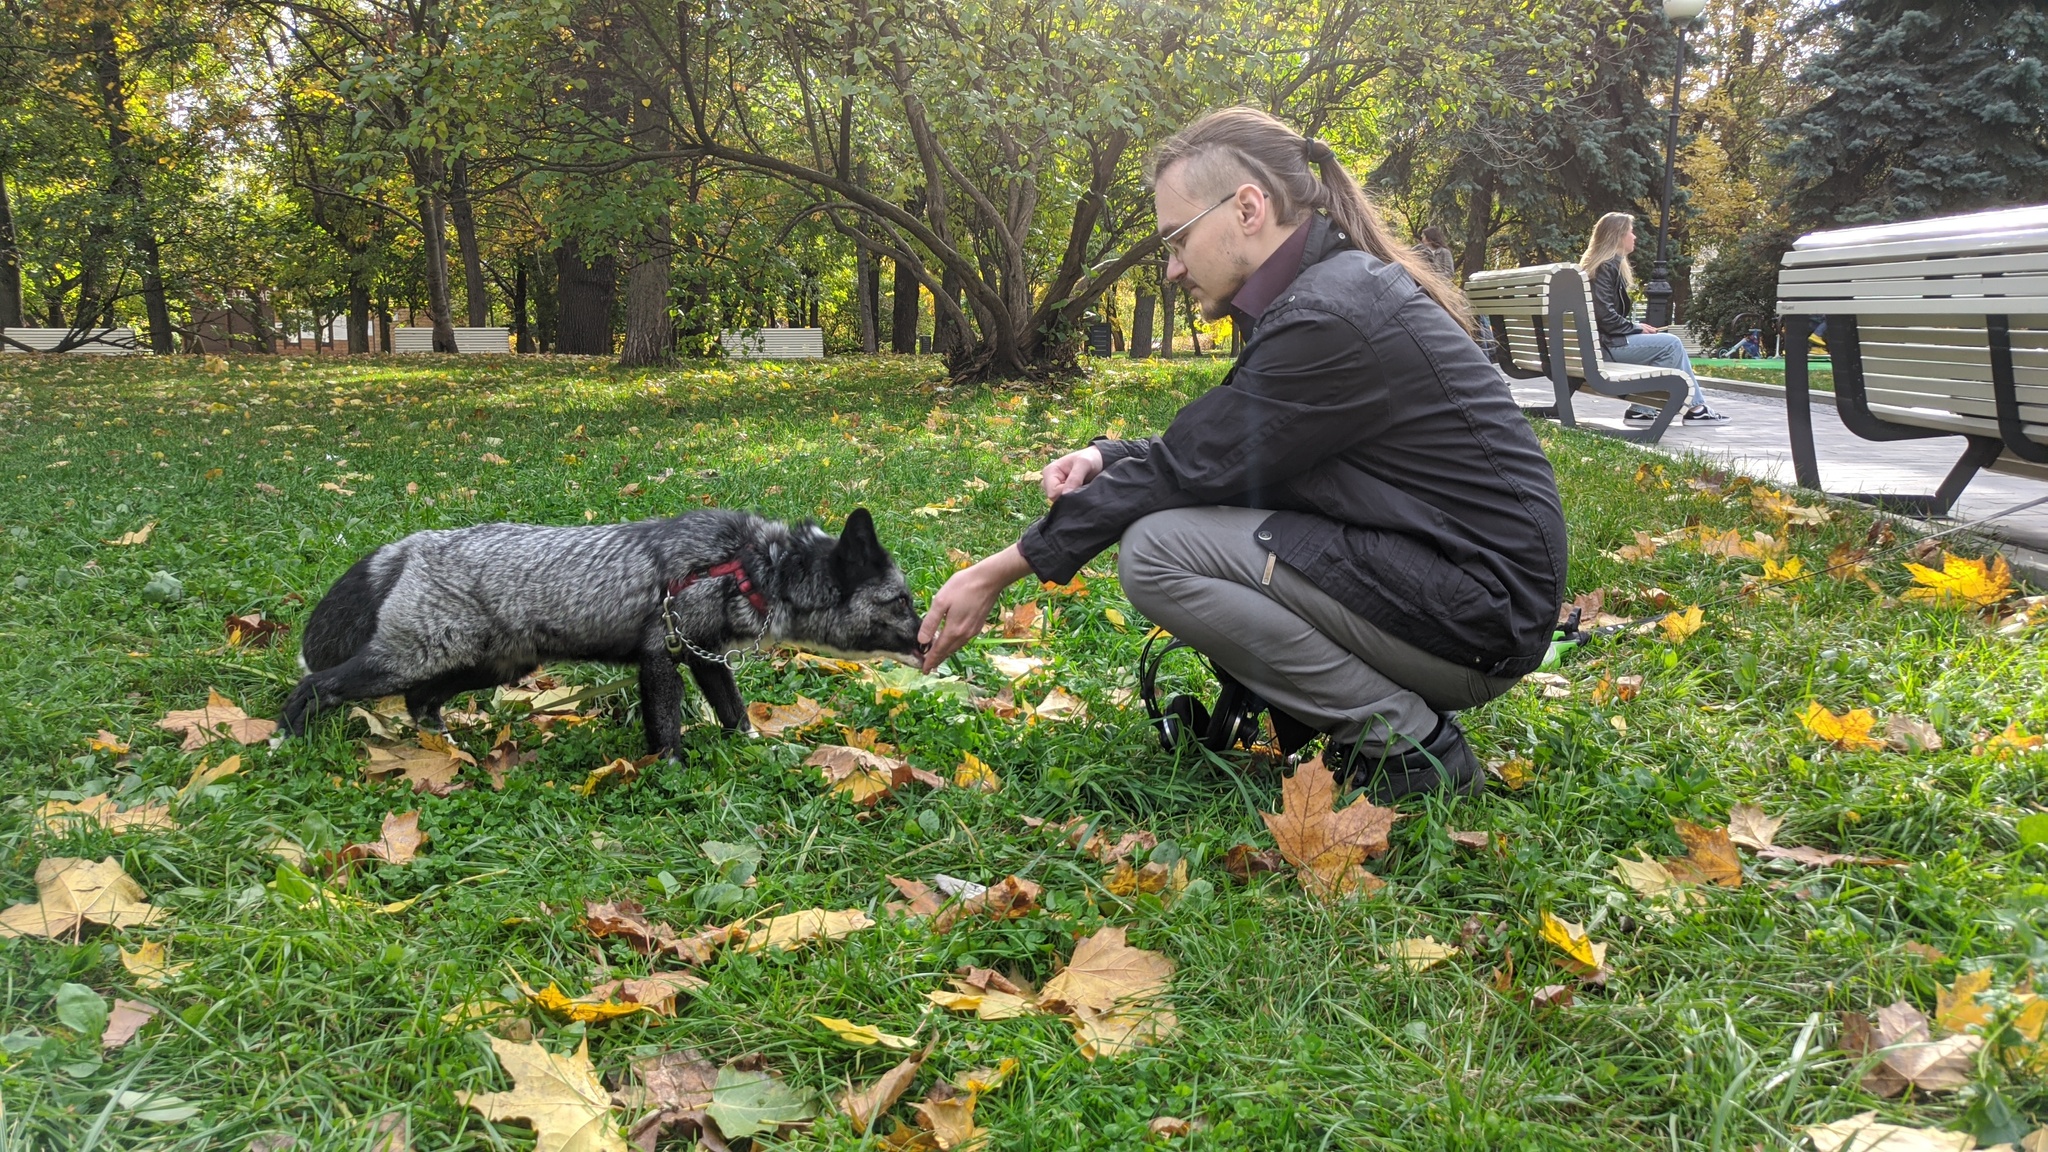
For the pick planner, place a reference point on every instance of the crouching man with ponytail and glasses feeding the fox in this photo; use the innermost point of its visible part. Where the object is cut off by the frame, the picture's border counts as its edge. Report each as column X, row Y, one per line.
column 1357, row 526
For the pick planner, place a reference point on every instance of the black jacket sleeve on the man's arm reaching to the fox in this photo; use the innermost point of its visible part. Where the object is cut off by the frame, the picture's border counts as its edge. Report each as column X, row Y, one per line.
column 1314, row 393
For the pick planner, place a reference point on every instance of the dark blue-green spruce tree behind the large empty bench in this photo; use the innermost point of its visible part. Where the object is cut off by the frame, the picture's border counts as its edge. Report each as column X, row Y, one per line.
column 1924, row 108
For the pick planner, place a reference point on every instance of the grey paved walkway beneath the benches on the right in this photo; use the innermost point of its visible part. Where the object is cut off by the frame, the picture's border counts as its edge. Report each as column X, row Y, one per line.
column 1756, row 442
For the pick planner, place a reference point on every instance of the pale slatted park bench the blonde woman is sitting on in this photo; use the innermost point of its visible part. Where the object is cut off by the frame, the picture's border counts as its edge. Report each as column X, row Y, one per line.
column 1543, row 327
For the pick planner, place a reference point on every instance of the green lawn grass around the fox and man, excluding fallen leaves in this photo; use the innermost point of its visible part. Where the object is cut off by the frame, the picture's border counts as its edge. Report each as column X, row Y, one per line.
column 1717, row 1030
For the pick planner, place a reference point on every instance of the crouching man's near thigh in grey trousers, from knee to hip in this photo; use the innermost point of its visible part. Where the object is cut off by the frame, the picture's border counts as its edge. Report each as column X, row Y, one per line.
column 1224, row 544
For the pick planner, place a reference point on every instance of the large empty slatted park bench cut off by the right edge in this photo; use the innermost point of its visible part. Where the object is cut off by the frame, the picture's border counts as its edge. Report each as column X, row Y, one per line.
column 1934, row 329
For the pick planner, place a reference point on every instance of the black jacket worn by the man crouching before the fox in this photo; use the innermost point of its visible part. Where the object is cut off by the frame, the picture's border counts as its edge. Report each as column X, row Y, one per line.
column 1402, row 475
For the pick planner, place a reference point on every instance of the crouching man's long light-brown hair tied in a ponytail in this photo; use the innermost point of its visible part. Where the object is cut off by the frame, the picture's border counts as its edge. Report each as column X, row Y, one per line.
column 1246, row 147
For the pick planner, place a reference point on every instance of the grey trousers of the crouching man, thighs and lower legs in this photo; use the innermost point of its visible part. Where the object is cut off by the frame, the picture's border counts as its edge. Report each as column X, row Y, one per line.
column 1205, row 577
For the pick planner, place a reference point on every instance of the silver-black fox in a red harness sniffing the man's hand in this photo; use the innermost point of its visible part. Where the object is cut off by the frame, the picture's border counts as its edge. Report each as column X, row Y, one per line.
column 452, row 612
